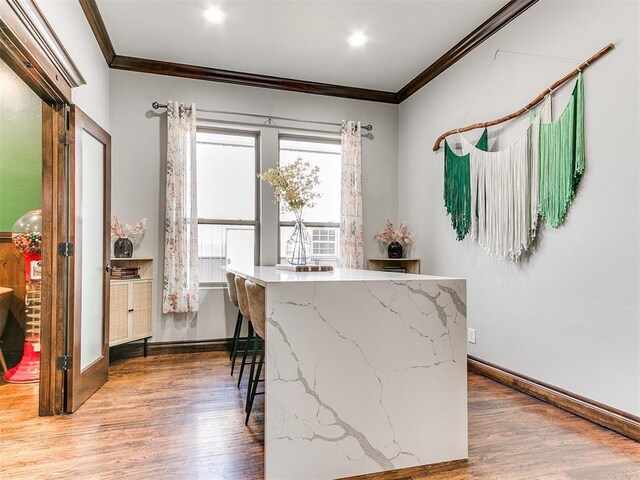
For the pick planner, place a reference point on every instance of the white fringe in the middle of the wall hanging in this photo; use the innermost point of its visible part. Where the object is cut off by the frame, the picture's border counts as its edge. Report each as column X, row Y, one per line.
column 504, row 193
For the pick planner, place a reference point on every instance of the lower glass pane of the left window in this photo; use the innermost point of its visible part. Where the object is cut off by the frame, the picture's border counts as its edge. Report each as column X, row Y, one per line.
column 222, row 245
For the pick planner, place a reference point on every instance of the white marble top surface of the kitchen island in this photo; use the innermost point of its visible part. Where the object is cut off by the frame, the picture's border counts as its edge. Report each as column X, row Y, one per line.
column 265, row 275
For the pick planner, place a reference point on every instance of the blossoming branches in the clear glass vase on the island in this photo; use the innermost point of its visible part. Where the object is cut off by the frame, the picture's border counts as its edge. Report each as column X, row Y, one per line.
column 293, row 184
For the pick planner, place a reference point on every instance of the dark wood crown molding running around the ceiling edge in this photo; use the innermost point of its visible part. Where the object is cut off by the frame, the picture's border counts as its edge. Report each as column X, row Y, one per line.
column 134, row 64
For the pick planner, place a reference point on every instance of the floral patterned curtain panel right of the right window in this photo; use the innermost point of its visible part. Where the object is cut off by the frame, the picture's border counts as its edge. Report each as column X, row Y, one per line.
column 351, row 236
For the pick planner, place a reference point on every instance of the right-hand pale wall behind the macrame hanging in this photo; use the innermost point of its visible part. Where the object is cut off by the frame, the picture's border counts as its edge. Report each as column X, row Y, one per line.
column 570, row 315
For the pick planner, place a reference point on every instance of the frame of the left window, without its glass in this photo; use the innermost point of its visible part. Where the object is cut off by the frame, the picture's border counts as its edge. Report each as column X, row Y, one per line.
column 229, row 222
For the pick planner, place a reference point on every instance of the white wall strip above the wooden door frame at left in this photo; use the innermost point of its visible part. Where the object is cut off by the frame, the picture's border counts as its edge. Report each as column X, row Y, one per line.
column 71, row 26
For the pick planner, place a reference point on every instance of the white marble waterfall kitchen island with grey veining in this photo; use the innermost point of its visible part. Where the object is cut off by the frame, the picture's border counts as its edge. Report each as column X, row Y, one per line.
column 365, row 372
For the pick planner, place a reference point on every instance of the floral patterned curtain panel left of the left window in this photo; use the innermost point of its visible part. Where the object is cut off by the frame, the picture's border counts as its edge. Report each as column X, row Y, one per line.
column 180, row 284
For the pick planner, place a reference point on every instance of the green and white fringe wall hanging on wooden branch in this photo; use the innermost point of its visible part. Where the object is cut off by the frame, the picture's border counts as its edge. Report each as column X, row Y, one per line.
column 497, row 197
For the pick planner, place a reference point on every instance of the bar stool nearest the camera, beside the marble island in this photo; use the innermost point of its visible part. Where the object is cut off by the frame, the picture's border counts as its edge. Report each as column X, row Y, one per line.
column 256, row 296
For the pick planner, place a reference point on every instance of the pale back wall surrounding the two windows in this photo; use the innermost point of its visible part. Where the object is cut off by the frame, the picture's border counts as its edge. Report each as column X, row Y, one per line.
column 138, row 137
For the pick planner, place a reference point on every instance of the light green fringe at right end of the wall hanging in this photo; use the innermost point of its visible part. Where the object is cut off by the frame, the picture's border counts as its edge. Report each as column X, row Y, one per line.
column 562, row 158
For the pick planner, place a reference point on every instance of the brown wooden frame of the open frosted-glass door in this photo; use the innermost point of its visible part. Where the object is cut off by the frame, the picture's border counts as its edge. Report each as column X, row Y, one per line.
column 80, row 385
